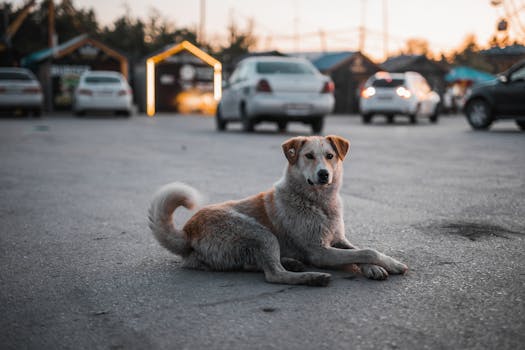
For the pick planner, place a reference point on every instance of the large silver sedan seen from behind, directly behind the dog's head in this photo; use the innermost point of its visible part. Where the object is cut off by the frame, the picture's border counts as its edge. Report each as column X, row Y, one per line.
column 275, row 89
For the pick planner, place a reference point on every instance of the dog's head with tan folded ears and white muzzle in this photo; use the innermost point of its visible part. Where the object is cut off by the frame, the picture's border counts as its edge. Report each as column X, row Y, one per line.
column 316, row 160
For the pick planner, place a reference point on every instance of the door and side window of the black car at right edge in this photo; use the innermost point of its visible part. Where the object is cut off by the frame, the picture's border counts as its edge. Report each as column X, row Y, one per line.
column 509, row 96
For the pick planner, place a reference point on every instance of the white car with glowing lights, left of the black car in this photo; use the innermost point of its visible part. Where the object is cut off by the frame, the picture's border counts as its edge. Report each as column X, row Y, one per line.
column 391, row 94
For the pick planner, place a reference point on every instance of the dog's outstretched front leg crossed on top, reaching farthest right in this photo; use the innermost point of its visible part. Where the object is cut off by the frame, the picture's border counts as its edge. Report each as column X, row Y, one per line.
column 333, row 257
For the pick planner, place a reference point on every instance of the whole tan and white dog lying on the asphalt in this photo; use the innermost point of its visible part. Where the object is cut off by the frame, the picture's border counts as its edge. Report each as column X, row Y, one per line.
column 296, row 223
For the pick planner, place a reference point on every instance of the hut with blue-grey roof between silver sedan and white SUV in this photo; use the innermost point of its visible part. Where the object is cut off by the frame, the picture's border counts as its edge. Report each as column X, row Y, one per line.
column 349, row 71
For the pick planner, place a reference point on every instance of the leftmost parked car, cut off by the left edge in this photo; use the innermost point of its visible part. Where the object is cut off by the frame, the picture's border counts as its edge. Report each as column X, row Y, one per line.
column 20, row 90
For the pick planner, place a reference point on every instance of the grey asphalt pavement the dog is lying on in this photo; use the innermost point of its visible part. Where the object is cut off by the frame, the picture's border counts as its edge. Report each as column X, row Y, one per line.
column 79, row 268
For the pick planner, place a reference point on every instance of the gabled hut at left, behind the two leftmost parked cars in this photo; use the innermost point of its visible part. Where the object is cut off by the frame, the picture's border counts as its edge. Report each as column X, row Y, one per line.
column 59, row 68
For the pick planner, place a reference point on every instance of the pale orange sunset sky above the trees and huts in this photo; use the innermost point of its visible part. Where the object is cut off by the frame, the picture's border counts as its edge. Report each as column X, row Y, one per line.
column 296, row 25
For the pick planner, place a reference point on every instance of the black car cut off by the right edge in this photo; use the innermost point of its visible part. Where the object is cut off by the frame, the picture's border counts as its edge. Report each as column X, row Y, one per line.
column 502, row 98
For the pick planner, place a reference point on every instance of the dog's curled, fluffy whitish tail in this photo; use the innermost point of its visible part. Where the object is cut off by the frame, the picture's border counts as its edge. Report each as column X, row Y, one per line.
column 164, row 203
